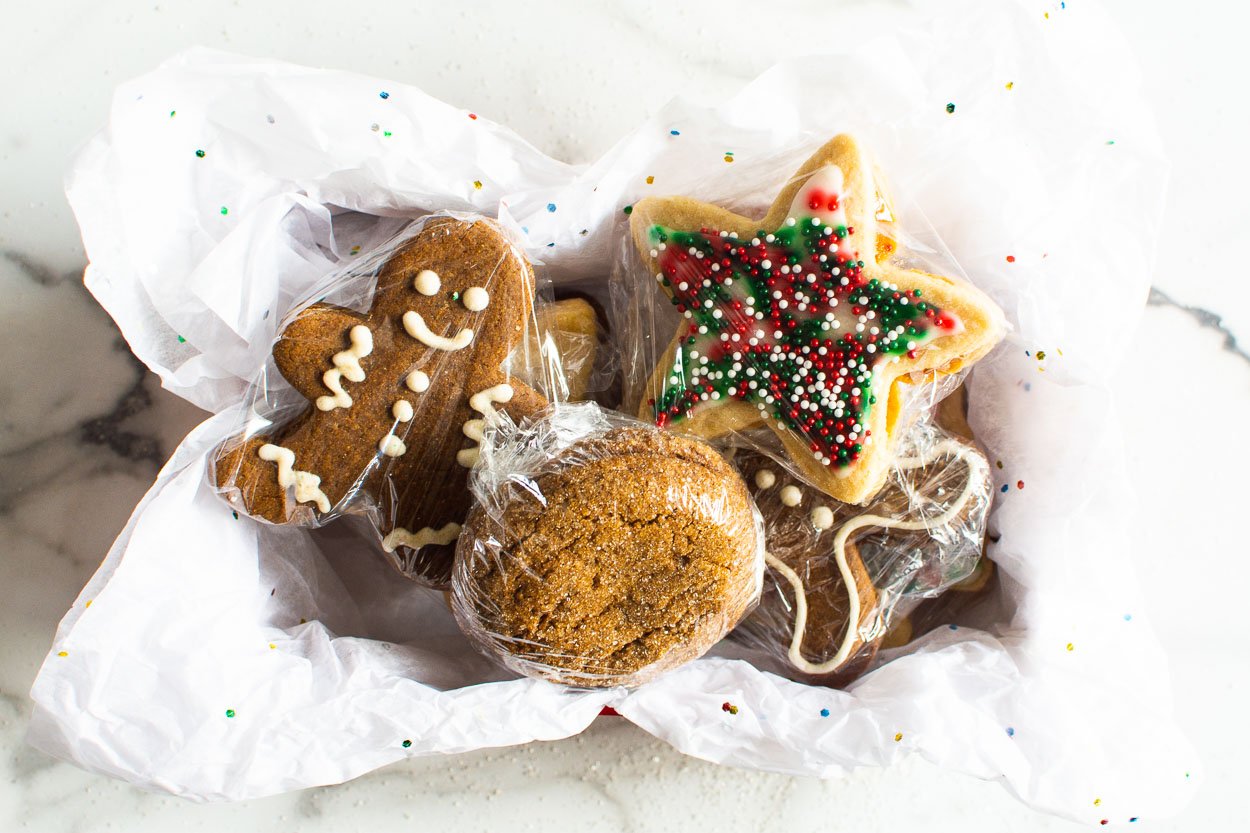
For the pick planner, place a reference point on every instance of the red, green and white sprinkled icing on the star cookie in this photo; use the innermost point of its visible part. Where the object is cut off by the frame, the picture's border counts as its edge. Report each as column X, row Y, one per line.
column 788, row 322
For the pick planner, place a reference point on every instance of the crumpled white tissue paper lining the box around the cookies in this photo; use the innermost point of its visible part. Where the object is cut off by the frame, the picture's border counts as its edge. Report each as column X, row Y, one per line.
column 219, row 659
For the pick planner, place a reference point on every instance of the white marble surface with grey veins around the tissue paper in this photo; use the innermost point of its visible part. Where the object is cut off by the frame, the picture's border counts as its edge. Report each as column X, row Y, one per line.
column 83, row 427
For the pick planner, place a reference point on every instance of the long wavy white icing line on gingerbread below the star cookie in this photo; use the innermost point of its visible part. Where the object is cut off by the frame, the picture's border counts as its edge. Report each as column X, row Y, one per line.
column 976, row 468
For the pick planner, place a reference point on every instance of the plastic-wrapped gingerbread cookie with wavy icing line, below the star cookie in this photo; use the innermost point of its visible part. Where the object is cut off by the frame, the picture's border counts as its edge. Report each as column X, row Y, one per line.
column 841, row 575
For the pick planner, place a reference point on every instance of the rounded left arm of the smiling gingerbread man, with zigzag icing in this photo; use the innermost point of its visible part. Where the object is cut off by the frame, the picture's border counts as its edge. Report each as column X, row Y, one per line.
column 317, row 352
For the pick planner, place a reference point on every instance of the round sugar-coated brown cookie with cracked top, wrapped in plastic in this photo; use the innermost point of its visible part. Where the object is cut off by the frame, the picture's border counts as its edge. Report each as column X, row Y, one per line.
column 626, row 556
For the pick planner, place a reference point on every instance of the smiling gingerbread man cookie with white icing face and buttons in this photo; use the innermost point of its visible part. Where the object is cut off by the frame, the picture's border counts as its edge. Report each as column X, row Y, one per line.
column 397, row 397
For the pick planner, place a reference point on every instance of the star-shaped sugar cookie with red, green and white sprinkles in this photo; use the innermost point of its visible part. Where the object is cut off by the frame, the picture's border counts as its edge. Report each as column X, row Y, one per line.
column 806, row 321
